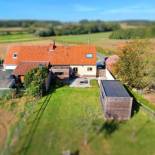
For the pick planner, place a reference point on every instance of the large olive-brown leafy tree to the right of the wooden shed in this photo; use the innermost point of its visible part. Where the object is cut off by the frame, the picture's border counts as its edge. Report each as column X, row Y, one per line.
column 132, row 66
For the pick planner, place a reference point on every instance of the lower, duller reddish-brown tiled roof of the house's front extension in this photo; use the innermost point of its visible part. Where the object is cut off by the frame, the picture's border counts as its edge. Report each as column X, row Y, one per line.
column 25, row 67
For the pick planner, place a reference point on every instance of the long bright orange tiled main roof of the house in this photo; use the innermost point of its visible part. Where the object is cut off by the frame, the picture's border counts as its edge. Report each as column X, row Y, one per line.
column 70, row 55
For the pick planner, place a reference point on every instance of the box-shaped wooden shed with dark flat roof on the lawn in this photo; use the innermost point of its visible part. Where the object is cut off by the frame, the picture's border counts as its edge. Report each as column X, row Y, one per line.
column 116, row 101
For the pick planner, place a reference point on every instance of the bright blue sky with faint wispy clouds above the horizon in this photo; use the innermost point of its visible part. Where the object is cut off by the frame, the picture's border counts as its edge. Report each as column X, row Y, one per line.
column 74, row 10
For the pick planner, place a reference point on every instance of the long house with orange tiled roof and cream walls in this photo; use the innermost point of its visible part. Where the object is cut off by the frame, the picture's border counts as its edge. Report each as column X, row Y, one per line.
column 64, row 61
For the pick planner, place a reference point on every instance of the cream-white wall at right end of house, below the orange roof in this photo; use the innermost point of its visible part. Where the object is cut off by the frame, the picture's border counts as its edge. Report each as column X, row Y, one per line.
column 82, row 70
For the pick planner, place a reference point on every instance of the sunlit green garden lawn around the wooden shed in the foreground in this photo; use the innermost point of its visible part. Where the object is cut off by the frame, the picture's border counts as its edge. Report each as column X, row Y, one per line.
column 73, row 115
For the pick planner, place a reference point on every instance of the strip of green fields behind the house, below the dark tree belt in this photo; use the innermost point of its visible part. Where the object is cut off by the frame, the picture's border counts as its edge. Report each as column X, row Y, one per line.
column 63, row 39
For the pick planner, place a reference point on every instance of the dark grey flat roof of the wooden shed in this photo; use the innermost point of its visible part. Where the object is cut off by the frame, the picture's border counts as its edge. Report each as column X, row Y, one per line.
column 114, row 88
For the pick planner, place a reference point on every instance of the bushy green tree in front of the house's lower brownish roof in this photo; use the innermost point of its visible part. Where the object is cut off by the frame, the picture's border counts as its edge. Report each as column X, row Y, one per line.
column 34, row 81
